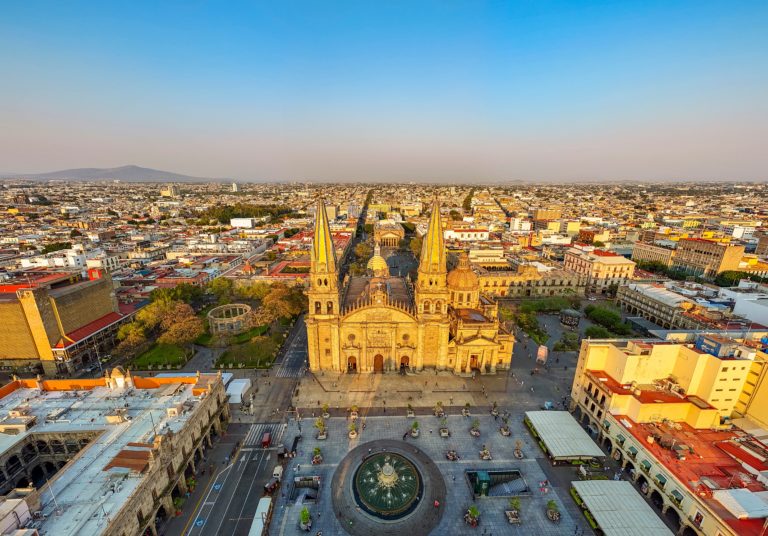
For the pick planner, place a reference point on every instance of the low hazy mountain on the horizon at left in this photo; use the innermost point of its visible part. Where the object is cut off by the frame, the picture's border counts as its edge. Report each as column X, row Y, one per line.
column 123, row 173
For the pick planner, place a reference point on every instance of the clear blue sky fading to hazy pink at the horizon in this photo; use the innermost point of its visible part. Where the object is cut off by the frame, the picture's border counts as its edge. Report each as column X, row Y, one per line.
column 447, row 91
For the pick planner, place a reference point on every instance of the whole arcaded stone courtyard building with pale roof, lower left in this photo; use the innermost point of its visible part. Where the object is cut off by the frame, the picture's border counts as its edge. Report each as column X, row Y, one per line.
column 105, row 456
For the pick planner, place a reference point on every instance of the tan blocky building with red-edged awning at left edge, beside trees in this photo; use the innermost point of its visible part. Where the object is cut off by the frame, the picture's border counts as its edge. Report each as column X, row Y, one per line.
column 57, row 321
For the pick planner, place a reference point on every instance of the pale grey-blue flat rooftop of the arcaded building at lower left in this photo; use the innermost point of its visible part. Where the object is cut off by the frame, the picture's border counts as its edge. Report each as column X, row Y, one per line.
column 96, row 483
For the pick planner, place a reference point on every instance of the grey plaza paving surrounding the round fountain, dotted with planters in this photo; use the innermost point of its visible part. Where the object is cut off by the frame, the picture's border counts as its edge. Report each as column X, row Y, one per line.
column 458, row 493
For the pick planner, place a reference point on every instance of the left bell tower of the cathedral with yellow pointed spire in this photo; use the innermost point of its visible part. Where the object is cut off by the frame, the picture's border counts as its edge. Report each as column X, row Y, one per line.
column 323, row 317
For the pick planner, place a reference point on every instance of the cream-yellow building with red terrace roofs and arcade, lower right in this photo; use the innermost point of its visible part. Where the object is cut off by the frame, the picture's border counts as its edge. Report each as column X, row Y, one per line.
column 661, row 408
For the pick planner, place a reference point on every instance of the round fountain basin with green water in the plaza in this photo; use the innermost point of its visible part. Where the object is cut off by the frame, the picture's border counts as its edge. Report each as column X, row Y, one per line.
column 387, row 486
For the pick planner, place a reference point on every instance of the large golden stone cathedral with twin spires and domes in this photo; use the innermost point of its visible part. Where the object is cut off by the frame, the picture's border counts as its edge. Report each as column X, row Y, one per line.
column 379, row 323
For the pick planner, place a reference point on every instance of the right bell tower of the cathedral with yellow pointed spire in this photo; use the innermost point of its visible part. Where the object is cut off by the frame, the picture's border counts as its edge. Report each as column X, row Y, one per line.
column 431, row 296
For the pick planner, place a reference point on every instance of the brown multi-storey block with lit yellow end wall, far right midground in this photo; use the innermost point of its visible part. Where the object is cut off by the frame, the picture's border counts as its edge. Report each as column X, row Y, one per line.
column 707, row 258
